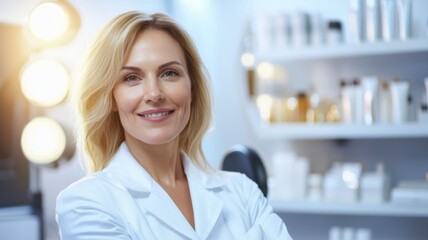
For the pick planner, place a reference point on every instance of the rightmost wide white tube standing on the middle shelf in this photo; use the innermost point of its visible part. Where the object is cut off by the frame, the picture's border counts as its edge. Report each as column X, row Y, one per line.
column 399, row 95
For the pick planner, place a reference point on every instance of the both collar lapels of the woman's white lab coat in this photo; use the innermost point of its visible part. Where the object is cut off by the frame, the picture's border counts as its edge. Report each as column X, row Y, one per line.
column 203, row 185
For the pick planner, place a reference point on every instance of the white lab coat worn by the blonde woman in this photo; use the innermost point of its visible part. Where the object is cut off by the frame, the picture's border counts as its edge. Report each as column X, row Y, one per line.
column 124, row 202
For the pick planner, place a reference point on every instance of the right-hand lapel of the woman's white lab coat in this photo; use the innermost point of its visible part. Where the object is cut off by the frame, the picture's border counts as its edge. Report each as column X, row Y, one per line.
column 207, row 206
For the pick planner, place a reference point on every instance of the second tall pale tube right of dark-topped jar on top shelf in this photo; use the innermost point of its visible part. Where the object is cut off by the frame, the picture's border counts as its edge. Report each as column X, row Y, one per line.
column 372, row 20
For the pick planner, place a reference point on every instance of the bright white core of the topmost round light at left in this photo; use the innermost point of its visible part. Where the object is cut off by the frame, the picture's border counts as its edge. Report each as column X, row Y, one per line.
column 48, row 21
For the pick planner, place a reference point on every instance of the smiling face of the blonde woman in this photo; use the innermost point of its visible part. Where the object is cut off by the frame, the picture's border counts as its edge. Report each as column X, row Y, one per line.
column 153, row 92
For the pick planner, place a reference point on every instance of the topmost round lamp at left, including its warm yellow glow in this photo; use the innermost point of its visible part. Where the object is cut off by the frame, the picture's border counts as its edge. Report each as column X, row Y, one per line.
column 52, row 23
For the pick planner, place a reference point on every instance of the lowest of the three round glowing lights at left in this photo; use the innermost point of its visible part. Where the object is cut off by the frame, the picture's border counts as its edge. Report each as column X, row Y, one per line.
column 43, row 140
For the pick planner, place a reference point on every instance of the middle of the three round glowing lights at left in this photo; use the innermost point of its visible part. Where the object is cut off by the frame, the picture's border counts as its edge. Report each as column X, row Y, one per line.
column 45, row 82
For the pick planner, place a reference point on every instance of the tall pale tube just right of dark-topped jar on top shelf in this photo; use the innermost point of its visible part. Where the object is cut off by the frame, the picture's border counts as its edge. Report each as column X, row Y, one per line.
column 356, row 21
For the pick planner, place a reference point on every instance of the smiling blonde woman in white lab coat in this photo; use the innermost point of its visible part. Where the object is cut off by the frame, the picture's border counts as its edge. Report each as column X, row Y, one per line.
column 144, row 106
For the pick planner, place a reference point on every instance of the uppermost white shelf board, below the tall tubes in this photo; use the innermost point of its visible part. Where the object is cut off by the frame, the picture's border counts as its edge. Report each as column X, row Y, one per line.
column 346, row 51
